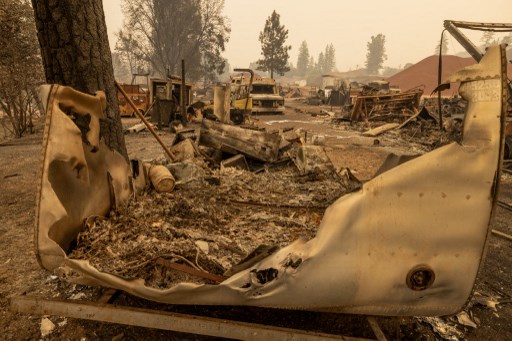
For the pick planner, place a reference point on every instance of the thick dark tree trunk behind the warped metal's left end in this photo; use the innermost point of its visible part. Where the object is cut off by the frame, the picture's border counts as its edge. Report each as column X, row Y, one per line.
column 75, row 51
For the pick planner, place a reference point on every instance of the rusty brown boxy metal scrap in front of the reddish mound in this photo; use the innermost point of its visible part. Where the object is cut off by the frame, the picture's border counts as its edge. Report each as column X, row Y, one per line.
column 366, row 107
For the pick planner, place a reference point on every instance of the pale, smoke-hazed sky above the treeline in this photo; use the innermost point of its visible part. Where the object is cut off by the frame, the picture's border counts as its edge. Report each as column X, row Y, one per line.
column 412, row 28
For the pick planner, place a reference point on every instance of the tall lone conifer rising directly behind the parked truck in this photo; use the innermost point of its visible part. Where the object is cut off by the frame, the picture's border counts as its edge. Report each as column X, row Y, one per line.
column 273, row 47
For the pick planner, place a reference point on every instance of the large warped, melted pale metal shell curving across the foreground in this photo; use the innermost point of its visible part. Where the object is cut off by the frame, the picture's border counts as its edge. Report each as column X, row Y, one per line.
column 409, row 242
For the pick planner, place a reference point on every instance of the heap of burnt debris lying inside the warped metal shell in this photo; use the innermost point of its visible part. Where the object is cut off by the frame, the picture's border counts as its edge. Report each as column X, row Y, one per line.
column 217, row 220
